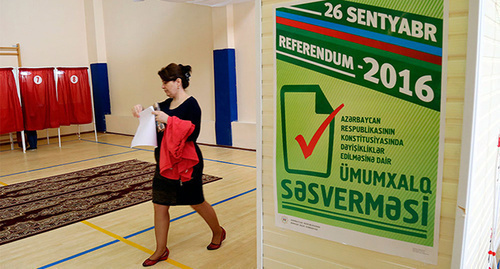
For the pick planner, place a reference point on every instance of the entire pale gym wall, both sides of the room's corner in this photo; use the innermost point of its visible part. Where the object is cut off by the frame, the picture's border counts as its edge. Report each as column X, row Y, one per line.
column 140, row 38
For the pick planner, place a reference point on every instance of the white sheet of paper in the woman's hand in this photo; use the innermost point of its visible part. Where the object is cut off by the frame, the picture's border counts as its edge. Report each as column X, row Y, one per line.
column 146, row 132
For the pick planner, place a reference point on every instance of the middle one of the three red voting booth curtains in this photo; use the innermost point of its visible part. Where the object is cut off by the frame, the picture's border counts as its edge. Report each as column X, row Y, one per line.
column 38, row 94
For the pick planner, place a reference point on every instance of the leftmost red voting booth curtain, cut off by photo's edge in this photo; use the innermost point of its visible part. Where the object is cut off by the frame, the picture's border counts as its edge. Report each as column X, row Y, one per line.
column 11, row 114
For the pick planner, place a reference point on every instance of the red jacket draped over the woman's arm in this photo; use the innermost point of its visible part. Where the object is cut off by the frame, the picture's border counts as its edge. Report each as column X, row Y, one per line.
column 177, row 156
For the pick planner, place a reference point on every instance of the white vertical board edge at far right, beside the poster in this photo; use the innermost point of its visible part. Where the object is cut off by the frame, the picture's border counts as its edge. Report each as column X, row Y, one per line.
column 482, row 108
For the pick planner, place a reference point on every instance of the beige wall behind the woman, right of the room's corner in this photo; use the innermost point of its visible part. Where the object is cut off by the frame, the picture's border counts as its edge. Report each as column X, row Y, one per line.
column 142, row 37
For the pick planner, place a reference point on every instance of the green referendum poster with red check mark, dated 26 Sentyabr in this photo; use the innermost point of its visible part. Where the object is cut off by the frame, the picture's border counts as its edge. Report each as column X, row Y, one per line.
column 359, row 120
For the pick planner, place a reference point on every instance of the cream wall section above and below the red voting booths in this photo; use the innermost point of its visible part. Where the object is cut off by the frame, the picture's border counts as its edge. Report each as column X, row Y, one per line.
column 50, row 33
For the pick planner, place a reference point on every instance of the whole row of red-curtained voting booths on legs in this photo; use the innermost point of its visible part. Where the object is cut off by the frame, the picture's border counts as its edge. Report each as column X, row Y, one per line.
column 45, row 97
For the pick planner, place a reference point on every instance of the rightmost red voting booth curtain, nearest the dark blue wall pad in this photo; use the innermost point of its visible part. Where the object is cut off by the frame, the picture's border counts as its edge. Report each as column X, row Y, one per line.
column 74, row 95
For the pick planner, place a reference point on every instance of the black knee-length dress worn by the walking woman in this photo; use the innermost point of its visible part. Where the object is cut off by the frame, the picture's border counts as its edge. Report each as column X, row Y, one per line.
column 171, row 191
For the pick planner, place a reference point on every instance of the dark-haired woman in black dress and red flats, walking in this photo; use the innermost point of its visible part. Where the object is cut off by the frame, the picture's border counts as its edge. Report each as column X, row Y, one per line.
column 173, row 191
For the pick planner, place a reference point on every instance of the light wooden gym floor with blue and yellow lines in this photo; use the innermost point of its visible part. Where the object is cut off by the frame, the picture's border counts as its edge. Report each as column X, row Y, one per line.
column 124, row 238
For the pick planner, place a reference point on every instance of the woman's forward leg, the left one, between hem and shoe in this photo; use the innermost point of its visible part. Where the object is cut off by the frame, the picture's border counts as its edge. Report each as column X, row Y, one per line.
column 162, row 224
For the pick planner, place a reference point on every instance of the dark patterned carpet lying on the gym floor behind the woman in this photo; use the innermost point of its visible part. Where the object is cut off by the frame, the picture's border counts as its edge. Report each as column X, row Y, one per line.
column 41, row 205
